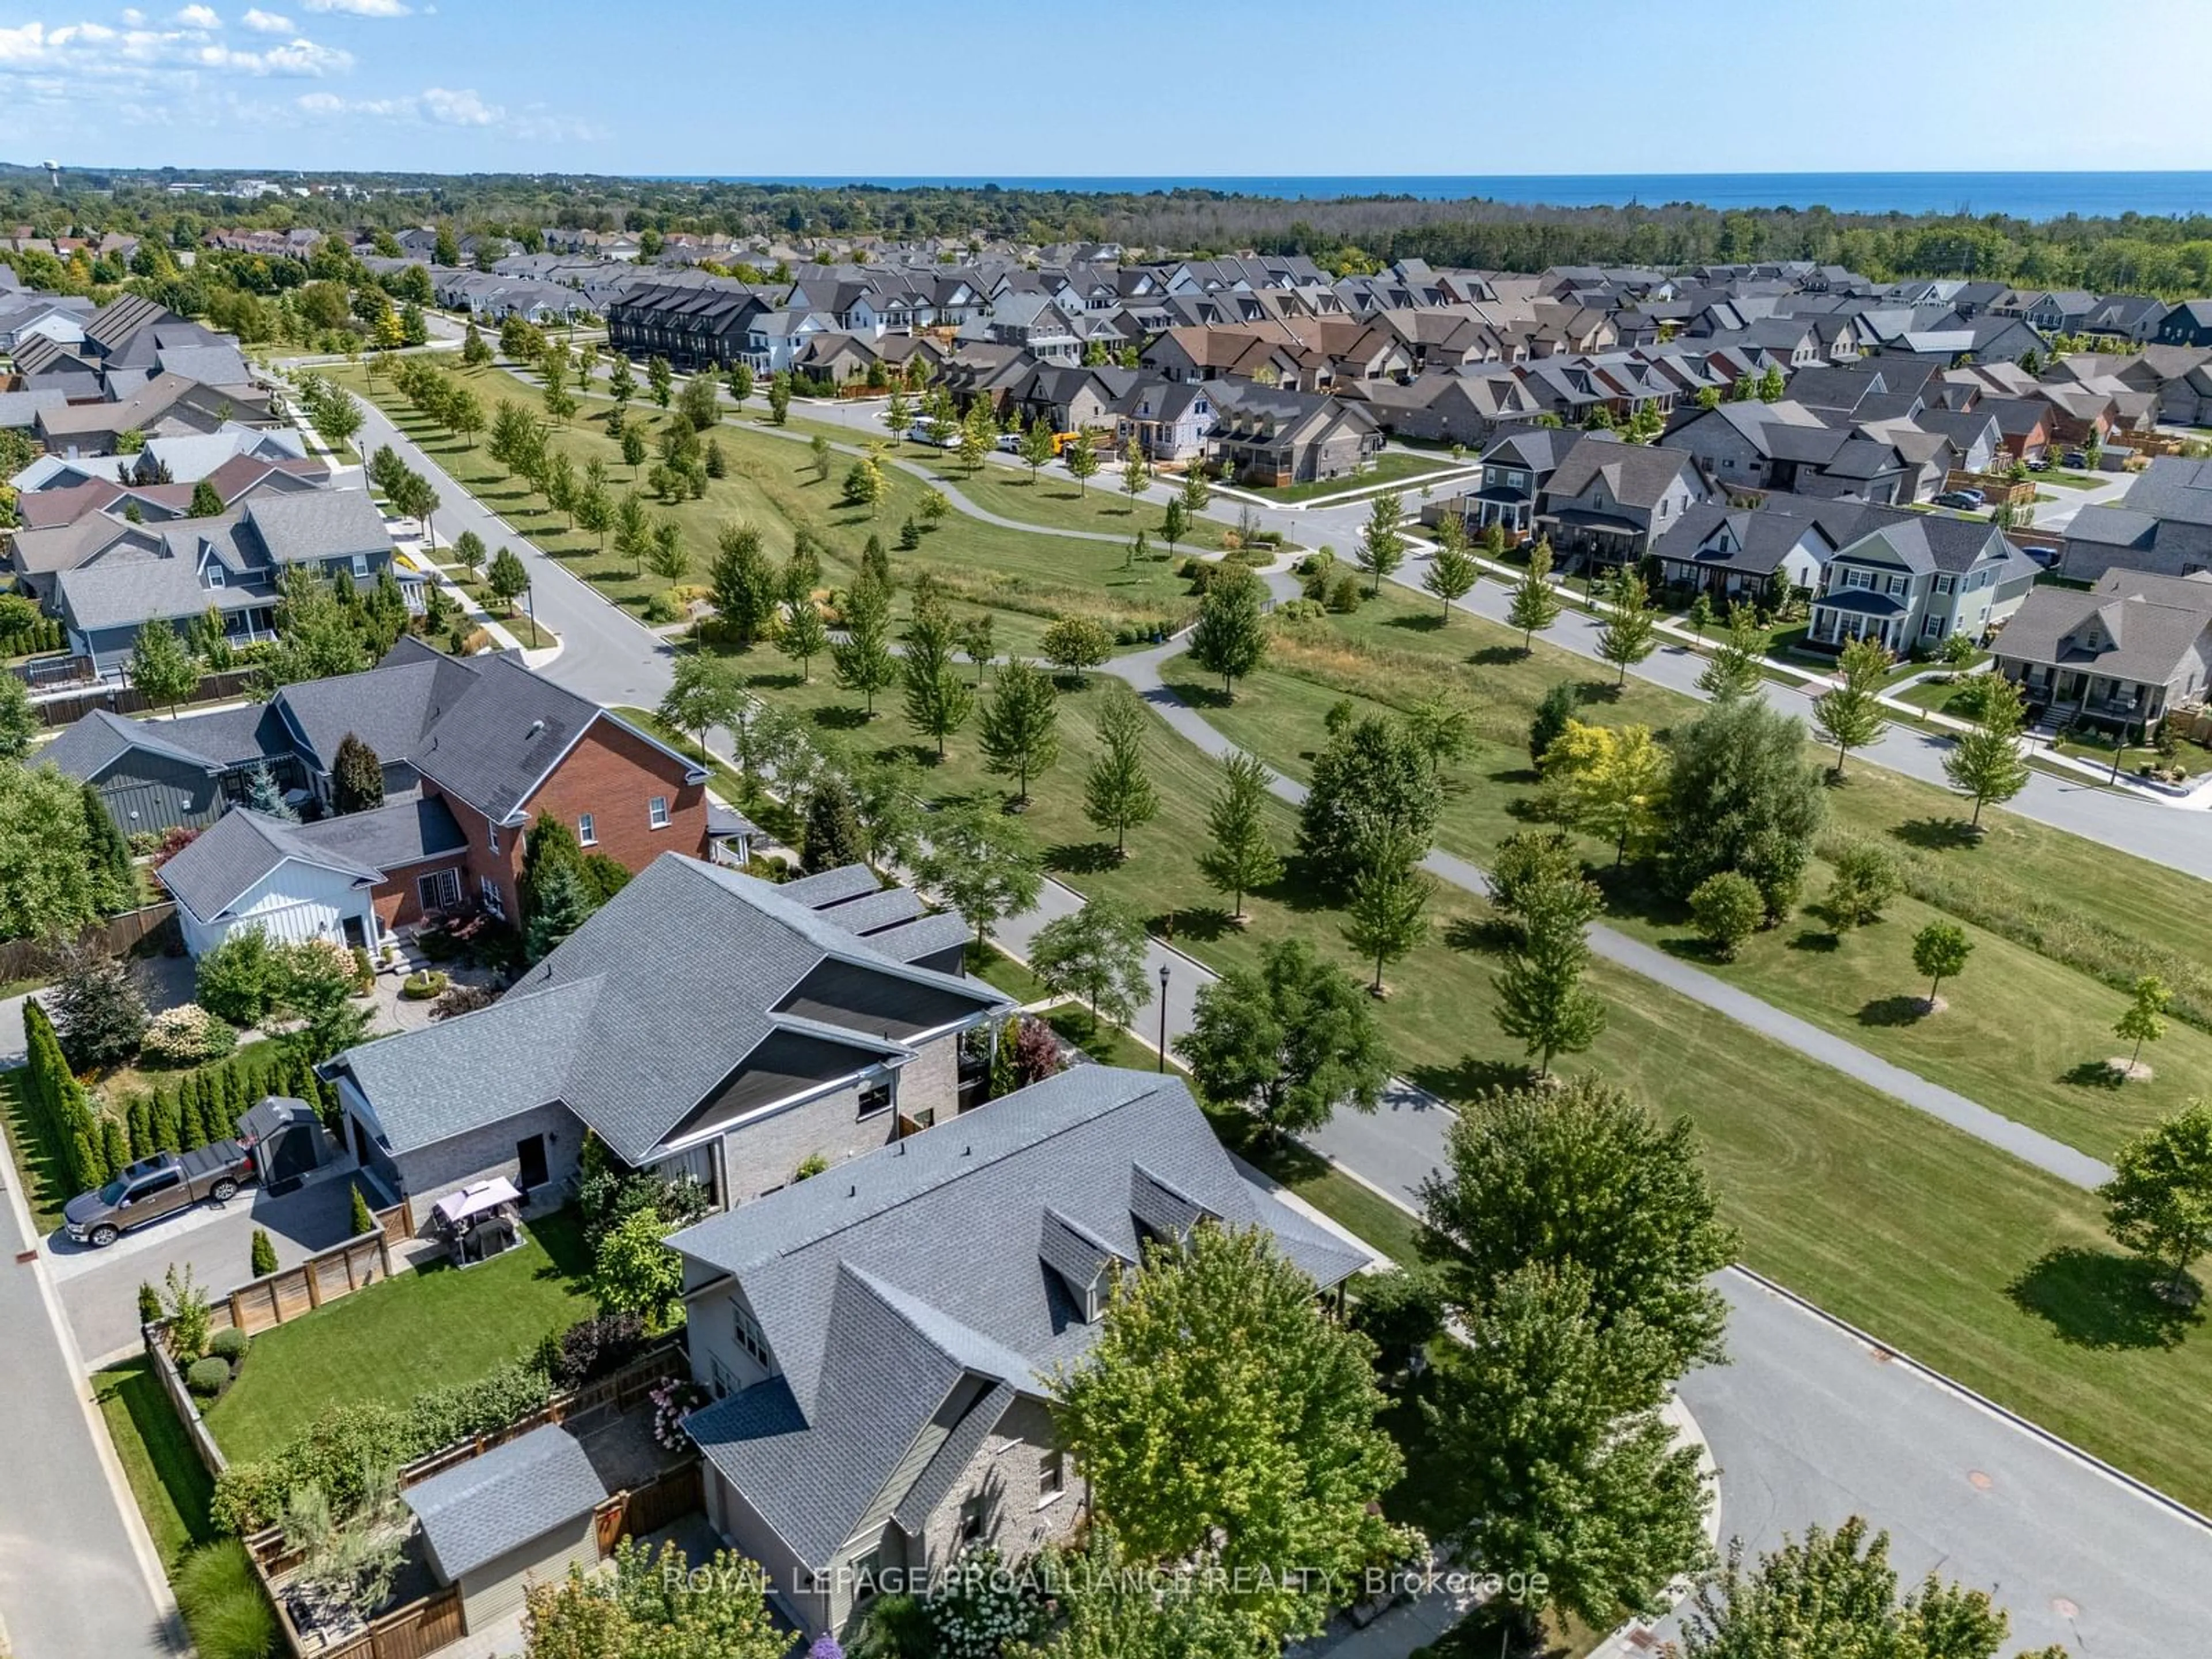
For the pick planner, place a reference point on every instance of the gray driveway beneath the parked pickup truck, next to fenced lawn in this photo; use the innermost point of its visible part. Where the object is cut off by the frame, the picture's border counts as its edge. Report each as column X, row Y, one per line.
column 98, row 1288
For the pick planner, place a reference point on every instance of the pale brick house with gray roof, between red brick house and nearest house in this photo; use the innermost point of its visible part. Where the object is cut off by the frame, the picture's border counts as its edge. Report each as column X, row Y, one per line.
column 702, row 1023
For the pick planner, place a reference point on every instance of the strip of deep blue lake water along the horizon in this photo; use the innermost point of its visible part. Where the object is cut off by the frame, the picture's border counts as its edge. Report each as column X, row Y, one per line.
column 2025, row 196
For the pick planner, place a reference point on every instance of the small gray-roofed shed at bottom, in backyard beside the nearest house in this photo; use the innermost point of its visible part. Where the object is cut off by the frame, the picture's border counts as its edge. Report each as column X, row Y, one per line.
column 519, row 1516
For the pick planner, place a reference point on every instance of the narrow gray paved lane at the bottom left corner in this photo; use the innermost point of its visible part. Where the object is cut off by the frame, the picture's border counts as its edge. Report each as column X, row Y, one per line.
column 74, row 1578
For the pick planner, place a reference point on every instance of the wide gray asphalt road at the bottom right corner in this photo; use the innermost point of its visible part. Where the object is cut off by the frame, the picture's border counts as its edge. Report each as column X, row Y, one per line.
column 1815, row 1426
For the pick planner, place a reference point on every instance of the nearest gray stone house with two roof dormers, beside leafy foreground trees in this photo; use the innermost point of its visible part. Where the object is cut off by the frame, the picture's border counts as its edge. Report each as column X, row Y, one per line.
column 879, row 1339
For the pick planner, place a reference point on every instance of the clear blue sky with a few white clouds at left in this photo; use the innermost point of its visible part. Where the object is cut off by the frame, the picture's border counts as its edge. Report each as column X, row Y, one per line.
column 1198, row 87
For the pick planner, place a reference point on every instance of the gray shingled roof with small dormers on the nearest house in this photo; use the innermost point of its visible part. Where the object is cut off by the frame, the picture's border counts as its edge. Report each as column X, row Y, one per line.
column 912, row 1293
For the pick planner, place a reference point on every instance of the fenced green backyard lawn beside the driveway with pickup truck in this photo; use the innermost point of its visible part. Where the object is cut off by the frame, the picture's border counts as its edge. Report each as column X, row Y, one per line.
column 415, row 1333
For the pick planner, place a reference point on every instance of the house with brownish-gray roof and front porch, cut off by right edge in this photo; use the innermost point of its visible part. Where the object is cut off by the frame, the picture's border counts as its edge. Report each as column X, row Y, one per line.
column 2120, row 656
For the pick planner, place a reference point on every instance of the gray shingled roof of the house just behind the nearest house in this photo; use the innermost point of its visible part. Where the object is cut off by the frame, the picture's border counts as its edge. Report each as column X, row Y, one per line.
column 691, row 948
